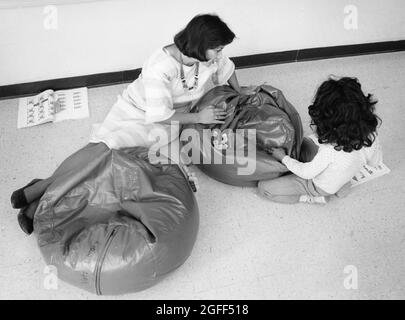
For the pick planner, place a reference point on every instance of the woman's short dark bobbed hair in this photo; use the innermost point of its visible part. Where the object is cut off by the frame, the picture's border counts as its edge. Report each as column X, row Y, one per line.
column 203, row 32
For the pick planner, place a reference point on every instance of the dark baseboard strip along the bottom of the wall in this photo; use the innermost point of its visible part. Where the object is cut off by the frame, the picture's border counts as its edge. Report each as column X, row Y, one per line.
column 250, row 61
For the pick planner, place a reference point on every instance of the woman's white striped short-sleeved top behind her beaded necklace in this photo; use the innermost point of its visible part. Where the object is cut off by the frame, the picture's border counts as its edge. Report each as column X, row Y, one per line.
column 159, row 90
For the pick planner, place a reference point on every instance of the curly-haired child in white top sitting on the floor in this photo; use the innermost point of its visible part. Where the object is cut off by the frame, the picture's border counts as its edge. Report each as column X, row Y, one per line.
column 345, row 139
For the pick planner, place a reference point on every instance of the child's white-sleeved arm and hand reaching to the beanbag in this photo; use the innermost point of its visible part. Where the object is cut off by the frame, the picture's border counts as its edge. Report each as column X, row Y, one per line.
column 305, row 170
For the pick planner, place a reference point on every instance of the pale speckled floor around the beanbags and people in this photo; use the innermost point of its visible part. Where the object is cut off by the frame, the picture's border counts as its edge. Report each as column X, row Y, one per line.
column 247, row 247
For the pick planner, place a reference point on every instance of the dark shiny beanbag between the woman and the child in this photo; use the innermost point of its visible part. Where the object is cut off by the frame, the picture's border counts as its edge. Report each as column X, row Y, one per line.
column 231, row 154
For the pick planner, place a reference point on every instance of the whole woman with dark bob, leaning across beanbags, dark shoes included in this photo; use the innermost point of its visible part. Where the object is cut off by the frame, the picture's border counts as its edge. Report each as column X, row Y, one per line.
column 151, row 109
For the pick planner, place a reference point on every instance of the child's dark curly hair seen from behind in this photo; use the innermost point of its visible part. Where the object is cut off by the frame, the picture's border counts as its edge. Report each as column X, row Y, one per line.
column 343, row 115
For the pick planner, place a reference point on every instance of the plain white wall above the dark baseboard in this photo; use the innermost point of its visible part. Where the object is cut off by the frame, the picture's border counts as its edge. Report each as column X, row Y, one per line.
column 115, row 35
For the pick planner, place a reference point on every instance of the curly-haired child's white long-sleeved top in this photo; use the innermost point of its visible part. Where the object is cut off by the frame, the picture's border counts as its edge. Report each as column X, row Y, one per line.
column 331, row 169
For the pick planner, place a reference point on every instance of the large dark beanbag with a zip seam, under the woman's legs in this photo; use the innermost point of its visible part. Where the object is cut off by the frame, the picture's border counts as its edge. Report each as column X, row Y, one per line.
column 119, row 224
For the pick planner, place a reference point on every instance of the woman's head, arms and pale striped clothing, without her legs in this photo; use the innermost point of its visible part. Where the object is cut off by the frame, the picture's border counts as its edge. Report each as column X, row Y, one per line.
column 172, row 79
